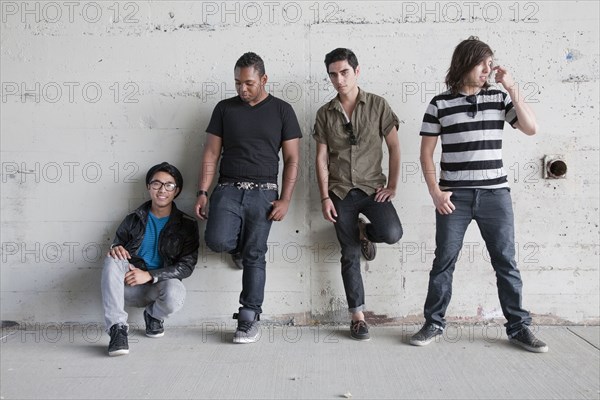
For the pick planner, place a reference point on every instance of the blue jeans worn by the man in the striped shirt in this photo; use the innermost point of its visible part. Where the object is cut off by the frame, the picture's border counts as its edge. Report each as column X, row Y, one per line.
column 492, row 210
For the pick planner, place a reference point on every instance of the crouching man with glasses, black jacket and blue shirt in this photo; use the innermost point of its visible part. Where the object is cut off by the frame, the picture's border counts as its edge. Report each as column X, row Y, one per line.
column 156, row 246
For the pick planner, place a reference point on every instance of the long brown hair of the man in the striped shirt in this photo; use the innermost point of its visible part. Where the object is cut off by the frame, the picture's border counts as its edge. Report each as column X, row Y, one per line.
column 467, row 55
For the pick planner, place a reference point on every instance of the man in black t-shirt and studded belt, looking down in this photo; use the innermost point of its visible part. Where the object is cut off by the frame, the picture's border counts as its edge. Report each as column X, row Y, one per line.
column 246, row 133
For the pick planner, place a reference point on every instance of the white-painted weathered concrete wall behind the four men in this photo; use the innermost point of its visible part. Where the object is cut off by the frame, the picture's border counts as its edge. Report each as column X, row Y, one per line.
column 94, row 93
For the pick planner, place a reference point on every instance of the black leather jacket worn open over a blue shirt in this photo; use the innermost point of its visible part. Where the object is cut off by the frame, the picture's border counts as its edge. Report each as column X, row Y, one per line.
column 178, row 242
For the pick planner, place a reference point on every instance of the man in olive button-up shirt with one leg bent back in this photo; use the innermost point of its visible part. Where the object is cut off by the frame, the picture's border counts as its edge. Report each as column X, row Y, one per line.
column 349, row 131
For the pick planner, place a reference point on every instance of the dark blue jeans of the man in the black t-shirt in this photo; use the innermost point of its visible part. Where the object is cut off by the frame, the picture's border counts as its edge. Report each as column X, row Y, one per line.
column 238, row 223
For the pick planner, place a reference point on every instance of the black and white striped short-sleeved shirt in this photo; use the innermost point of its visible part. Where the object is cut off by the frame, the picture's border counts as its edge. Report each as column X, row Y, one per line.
column 471, row 134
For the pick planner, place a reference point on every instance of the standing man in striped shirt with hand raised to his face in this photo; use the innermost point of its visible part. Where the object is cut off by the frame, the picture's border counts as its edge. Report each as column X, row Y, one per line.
column 469, row 118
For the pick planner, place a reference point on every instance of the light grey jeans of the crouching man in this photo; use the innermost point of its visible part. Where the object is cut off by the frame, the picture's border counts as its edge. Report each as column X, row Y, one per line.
column 160, row 299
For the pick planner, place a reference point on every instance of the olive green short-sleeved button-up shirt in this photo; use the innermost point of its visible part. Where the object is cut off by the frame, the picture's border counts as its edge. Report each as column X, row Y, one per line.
column 357, row 166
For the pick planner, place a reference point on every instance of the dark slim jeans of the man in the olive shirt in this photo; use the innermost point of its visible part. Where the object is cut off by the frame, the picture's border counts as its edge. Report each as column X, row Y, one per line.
column 385, row 227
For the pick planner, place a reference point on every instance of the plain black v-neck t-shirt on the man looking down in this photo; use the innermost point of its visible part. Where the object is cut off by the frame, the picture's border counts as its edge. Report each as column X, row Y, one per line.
column 252, row 137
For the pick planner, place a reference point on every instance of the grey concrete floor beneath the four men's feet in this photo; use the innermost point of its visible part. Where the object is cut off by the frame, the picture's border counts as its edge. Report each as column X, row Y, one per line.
column 290, row 362
